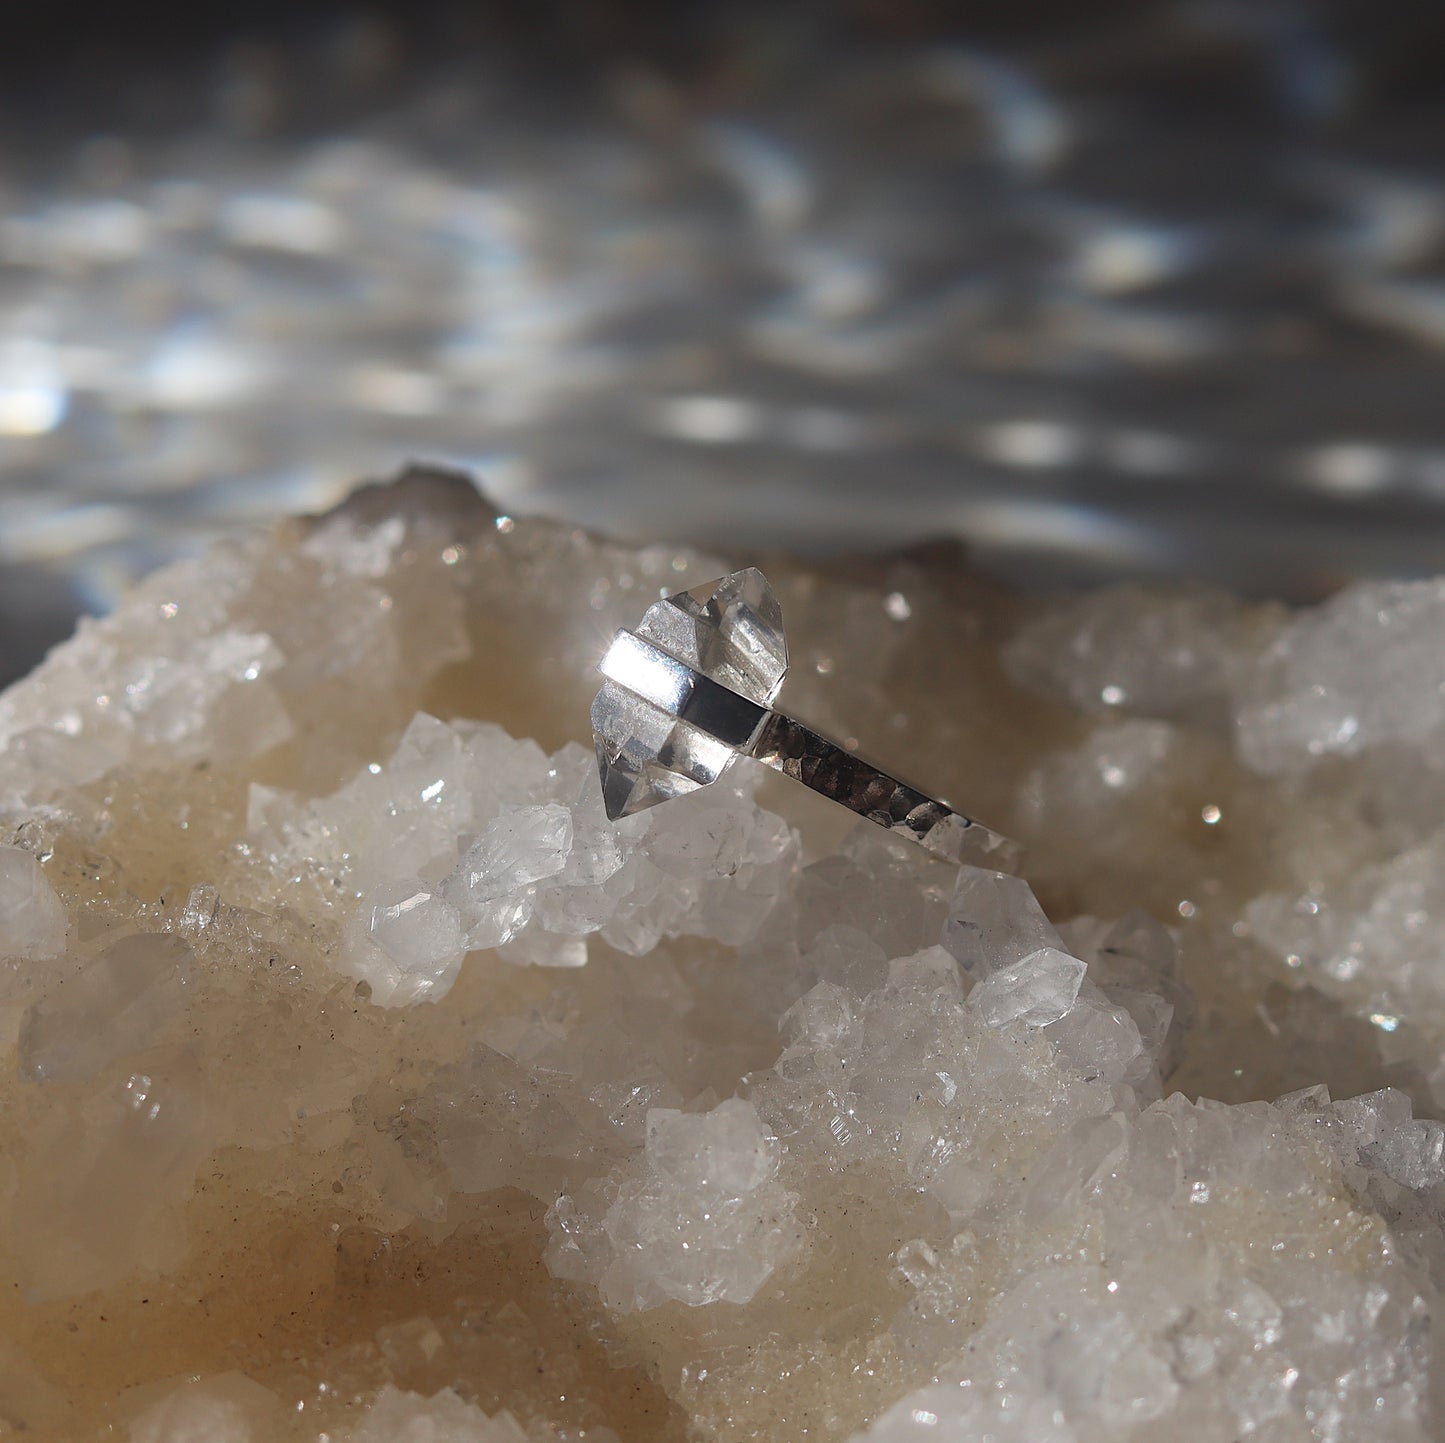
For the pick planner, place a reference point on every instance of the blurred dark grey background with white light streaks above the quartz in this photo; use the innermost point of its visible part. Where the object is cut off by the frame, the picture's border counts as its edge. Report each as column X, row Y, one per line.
column 1123, row 288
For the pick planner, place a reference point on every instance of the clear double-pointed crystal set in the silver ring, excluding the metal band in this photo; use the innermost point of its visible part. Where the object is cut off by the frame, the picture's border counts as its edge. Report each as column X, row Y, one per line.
column 732, row 632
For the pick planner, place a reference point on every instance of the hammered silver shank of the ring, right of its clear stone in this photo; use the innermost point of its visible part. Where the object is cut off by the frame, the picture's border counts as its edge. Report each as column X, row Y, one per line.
column 834, row 772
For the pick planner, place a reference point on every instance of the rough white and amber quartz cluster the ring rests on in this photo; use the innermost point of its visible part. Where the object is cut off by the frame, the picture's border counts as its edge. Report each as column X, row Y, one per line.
column 365, row 1084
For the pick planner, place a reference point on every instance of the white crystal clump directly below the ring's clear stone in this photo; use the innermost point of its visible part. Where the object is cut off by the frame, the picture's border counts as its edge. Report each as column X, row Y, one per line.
column 522, row 856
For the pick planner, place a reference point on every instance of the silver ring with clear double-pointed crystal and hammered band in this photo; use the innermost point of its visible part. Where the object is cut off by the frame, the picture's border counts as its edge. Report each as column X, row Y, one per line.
column 691, row 690
